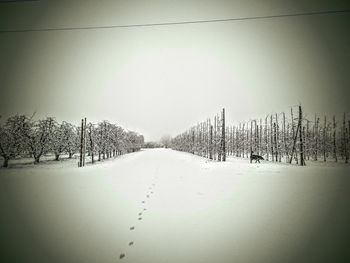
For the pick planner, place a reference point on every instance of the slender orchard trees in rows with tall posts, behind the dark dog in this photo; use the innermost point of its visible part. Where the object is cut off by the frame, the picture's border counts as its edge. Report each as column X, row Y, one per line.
column 278, row 137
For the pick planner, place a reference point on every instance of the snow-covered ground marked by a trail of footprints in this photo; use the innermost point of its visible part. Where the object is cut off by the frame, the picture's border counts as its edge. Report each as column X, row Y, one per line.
column 160, row 205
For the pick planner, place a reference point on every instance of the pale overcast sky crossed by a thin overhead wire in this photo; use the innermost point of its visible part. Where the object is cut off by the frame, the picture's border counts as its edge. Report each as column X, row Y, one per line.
column 161, row 80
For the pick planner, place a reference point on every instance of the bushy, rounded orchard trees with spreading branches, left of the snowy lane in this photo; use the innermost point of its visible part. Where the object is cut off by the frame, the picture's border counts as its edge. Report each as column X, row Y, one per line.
column 22, row 136
